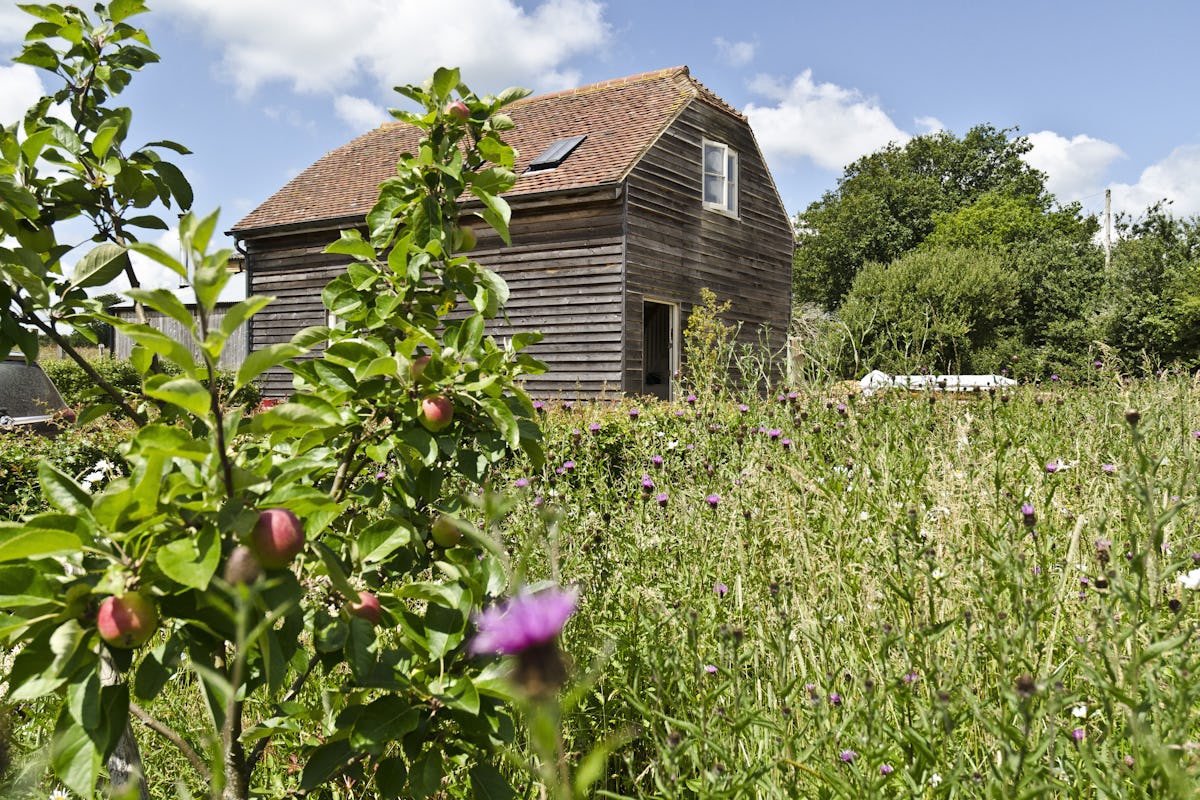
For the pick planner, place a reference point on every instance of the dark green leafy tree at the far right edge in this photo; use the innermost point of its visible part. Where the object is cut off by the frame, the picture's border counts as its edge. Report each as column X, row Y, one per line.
column 1153, row 304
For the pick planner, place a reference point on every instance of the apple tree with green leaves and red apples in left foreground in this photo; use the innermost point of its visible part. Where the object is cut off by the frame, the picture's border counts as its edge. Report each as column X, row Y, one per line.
column 310, row 573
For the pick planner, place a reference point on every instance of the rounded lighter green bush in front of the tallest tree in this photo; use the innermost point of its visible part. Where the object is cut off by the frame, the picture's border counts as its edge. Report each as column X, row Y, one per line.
column 934, row 310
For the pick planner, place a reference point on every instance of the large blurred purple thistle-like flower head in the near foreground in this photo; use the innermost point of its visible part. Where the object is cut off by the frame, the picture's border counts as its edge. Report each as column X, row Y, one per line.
column 525, row 621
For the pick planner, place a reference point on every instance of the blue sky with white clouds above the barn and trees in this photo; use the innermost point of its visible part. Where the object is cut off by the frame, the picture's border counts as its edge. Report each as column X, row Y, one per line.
column 260, row 89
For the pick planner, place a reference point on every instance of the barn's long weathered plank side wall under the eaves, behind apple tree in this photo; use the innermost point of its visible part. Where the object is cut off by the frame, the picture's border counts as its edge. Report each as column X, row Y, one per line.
column 563, row 270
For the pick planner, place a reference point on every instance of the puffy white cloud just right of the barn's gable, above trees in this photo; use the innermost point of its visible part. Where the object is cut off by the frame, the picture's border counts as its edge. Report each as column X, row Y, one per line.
column 830, row 125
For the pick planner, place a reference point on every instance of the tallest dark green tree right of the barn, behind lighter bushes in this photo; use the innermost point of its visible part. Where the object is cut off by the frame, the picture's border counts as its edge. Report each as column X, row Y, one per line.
column 890, row 202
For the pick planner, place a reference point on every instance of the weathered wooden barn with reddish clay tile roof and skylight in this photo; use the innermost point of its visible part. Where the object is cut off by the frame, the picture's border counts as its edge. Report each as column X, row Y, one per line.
column 633, row 196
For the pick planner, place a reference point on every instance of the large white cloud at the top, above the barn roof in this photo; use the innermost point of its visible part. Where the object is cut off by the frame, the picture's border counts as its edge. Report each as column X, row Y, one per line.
column 317, row 46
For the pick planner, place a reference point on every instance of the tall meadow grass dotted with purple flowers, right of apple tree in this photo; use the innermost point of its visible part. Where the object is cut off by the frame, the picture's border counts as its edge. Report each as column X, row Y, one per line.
column 897, row 597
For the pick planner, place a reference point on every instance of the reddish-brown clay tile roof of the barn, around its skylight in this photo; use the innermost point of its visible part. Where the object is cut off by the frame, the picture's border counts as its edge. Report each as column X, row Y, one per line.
column 621, row 119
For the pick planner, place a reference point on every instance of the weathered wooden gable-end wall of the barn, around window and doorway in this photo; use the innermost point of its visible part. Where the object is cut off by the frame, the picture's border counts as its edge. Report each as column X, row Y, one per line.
column 676, row 246
